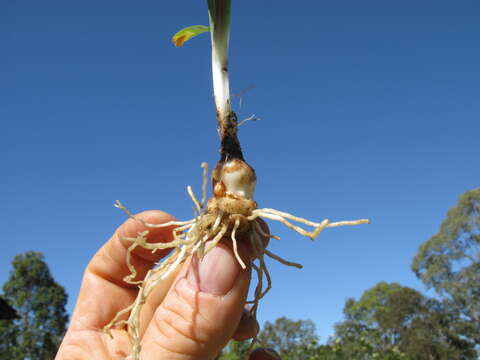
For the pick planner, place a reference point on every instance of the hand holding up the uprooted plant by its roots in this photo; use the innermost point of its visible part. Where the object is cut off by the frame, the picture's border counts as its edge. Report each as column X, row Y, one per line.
column 191, row 315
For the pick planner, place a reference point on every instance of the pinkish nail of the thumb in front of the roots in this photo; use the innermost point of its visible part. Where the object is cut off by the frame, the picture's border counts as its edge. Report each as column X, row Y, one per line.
column 215, row 273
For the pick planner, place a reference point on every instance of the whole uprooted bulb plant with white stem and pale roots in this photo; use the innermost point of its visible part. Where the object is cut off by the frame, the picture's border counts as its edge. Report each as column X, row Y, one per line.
column 231, row 213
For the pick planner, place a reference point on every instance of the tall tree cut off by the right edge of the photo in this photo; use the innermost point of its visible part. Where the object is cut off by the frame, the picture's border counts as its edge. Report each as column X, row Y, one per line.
column 449, row 262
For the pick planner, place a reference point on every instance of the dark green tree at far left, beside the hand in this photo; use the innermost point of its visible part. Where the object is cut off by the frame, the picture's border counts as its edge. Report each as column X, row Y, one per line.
column 40, row 304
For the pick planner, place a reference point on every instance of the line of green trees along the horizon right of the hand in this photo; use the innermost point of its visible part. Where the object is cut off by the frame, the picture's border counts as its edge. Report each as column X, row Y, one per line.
column 391, row 321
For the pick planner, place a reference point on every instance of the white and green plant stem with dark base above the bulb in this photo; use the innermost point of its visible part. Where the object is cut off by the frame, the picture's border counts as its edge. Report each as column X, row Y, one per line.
column 219, row 14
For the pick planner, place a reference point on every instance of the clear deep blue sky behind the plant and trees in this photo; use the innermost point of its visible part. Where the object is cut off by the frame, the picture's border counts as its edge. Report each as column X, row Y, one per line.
column 368, row 109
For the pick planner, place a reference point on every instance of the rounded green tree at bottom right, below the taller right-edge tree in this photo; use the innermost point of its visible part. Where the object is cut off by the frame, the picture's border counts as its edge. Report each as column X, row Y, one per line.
column 394, row 321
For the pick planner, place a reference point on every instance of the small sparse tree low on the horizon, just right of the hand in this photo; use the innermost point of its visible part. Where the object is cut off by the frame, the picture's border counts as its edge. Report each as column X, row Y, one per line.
column 291, row 339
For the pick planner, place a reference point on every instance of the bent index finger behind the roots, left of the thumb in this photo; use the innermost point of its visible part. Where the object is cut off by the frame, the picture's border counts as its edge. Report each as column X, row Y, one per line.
column 103, row 292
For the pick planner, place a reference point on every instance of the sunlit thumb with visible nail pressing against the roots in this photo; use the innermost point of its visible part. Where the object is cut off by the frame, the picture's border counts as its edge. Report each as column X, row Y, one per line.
column 201, row 311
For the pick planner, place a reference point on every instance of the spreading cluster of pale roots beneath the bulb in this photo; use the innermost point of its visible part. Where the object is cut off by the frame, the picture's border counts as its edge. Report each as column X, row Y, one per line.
column 221, row 218
